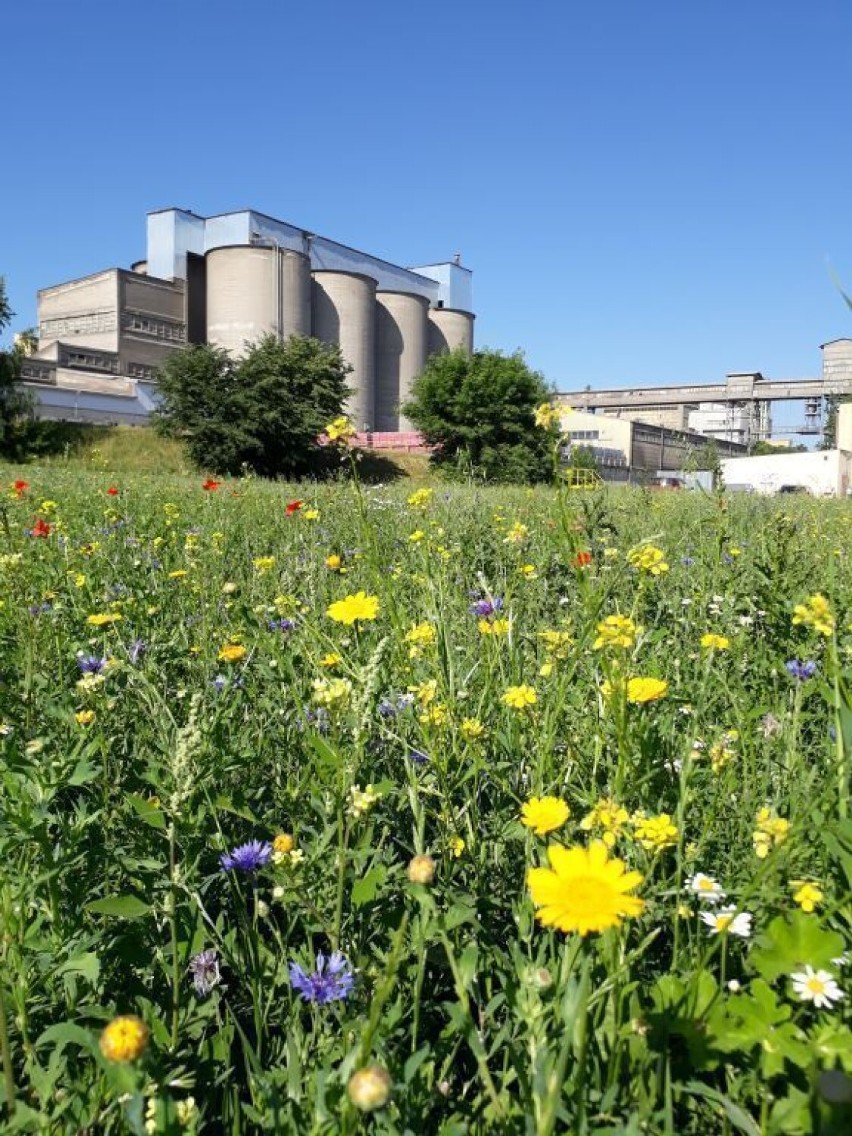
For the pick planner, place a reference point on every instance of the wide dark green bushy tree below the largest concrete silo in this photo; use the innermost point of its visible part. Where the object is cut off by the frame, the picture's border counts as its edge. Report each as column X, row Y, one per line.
column 263, row 412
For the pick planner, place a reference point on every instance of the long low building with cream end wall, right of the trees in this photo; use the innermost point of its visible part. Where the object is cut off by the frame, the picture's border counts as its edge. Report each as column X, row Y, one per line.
column 630, row 450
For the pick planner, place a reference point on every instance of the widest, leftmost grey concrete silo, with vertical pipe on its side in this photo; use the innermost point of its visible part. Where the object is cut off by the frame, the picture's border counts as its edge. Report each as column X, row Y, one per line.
column 254, row 291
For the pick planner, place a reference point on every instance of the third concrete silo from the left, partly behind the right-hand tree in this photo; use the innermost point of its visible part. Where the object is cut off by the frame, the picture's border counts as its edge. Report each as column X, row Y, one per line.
column 402, row 339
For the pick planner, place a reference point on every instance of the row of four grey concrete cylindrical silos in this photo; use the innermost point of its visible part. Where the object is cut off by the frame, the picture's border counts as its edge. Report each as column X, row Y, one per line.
column 385, row 336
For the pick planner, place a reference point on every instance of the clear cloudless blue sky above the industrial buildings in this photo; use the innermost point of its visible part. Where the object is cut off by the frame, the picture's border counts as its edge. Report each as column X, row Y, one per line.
column 647, row 193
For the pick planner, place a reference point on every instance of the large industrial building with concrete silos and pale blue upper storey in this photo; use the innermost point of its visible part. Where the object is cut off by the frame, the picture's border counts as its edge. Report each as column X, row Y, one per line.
column 229, row 280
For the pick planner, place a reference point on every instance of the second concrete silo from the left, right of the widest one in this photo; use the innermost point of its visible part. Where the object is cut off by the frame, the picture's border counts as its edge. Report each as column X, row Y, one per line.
column 344, row 311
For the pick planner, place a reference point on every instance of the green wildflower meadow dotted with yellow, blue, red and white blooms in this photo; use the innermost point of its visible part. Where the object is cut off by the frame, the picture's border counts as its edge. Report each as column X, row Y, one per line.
column 340, row 808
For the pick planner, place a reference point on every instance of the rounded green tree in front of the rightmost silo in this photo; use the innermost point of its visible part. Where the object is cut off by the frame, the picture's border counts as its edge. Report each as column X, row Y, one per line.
column 479, row 411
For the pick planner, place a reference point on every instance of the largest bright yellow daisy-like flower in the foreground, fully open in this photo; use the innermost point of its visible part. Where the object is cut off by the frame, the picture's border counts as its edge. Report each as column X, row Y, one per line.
column 583, row 890
